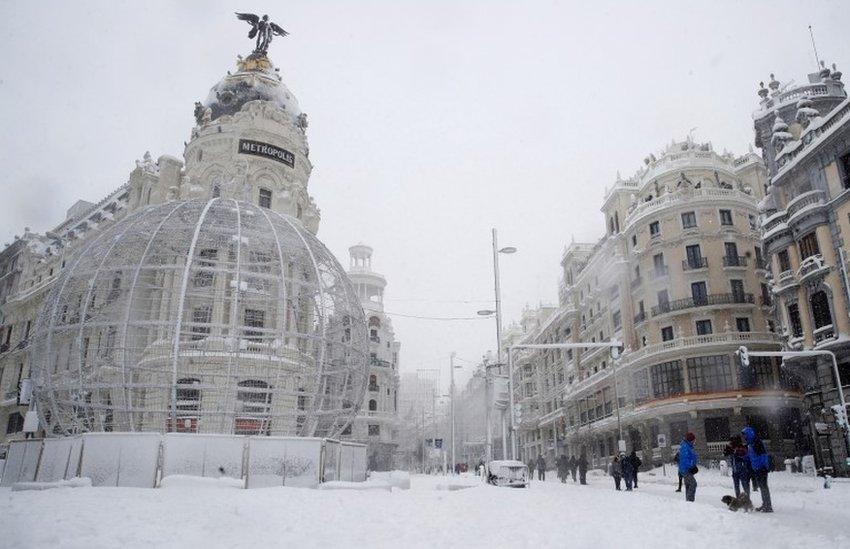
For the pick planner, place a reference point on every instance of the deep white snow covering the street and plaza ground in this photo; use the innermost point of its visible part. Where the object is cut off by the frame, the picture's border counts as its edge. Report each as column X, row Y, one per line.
column 434, row 513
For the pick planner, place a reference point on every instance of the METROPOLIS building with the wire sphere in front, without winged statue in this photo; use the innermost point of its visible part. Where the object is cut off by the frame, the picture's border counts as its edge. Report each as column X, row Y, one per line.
column 195, row 297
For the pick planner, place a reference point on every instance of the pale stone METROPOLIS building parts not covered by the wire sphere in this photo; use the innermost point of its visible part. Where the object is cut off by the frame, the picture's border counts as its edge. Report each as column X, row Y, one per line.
column 249, row 143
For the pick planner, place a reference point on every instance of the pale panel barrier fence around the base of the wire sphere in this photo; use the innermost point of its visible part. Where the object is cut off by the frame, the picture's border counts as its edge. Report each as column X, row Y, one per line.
column 142, row 460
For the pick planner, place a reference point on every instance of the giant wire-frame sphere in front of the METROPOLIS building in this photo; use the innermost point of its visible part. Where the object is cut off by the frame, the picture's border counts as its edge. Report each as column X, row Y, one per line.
column 201, row 316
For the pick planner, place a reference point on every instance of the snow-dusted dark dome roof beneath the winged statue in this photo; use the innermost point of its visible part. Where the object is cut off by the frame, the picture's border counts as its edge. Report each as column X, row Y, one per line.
column 257, row 79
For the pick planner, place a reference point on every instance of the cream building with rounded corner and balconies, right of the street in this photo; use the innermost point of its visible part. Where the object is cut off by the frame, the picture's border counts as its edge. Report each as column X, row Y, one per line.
column 680, row 278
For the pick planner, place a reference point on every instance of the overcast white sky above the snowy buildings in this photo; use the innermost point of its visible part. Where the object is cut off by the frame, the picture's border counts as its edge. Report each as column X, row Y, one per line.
column 430, row 122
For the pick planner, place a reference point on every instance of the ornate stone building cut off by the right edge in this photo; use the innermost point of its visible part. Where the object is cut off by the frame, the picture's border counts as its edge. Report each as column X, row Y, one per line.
column 804, row 134
